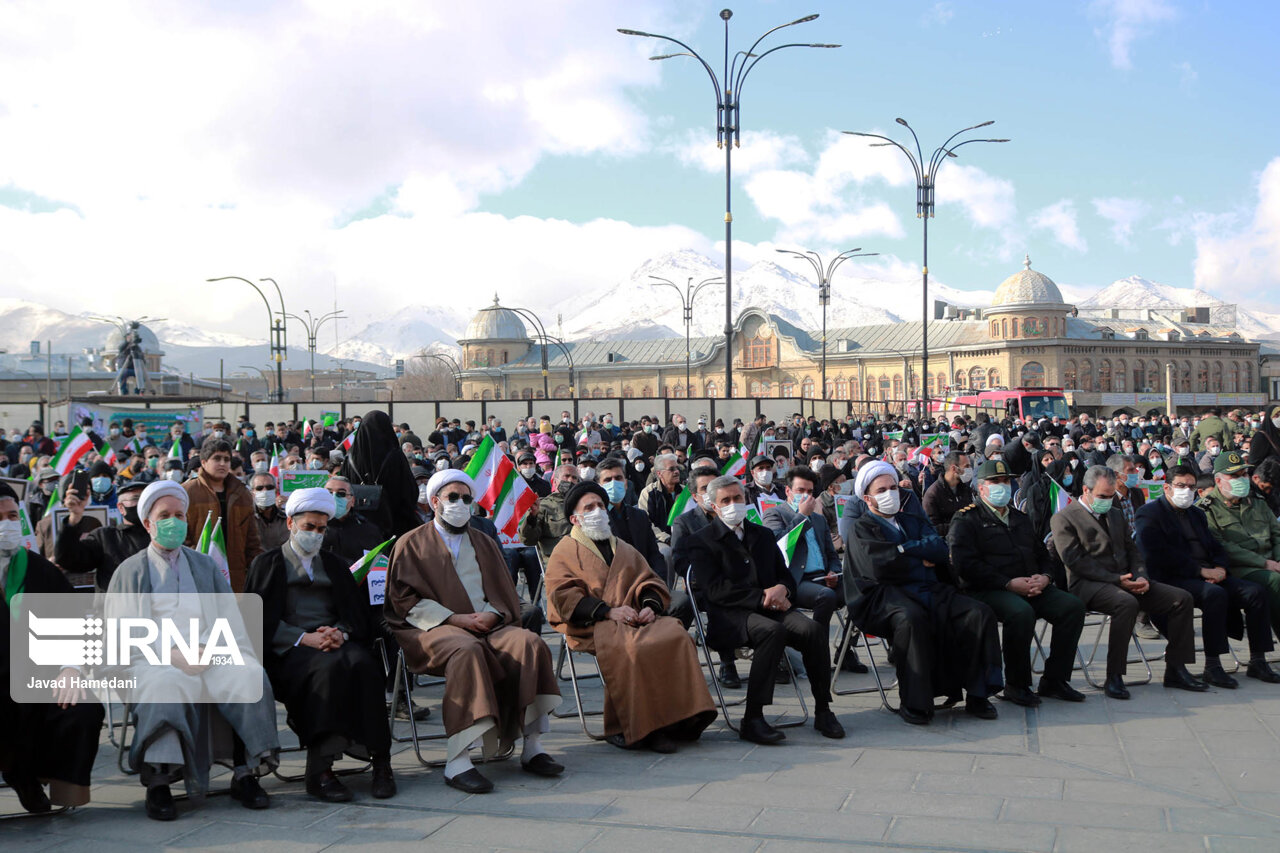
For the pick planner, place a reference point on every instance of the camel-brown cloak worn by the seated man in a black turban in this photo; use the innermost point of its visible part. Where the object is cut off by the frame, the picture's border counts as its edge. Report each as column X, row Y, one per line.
column 652, row 677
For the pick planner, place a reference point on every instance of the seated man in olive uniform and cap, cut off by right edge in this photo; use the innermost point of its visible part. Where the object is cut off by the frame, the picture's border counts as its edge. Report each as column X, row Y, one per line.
column 1244, row 523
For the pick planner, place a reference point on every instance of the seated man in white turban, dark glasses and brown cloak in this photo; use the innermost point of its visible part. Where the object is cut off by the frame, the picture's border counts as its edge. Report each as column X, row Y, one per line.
column 454, row 610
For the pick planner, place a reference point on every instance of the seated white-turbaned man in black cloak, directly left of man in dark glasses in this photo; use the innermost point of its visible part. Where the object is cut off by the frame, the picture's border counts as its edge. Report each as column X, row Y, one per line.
column 317, row 632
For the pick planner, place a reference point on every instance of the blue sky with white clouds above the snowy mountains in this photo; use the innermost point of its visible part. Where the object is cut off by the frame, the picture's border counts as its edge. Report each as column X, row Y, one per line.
column 392, row 153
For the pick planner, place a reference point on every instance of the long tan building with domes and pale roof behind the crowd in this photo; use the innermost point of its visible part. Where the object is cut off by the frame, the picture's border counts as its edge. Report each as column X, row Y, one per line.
column 1107, row 361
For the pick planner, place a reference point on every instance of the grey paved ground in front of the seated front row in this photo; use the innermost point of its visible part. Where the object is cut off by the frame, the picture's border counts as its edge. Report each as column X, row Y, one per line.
column 1168, row 770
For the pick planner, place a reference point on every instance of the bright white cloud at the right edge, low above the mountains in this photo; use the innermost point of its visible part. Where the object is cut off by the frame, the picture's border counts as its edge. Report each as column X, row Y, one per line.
column 1247, row 262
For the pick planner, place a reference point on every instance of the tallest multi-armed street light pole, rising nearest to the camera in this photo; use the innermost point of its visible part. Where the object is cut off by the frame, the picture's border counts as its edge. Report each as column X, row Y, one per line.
column 729, row 135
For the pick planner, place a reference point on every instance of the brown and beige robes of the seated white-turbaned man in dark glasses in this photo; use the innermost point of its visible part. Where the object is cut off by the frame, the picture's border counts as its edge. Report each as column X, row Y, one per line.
column 499, row 685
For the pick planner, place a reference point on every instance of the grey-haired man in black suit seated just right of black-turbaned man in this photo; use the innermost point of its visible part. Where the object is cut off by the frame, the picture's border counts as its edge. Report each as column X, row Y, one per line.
column 748, row 592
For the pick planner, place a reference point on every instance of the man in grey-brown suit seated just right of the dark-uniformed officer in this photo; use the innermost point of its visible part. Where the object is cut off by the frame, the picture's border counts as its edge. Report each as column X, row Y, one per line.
column 1107, row 572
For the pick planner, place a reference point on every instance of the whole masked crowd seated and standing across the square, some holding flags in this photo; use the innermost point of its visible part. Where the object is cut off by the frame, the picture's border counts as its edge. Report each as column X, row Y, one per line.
column 949, row 539
